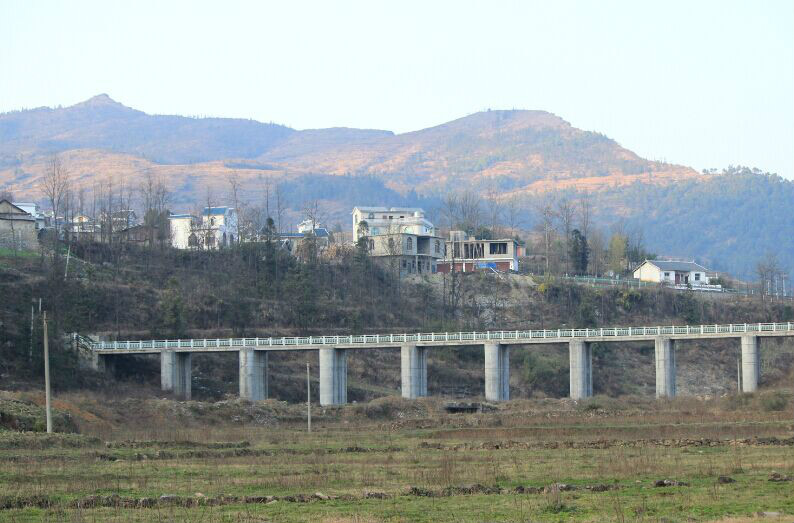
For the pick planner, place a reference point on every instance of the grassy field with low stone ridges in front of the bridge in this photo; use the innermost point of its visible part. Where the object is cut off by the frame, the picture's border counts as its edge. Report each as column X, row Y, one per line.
column 391, row 460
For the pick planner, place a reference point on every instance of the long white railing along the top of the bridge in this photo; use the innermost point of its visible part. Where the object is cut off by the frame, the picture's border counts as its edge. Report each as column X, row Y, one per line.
column 376, row 339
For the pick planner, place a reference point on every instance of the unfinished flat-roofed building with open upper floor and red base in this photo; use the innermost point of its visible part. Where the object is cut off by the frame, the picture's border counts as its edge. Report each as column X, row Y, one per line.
column 468, row 254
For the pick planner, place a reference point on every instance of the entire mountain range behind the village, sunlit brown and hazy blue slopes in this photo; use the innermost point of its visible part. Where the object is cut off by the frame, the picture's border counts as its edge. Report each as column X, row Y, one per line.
column 727, row 221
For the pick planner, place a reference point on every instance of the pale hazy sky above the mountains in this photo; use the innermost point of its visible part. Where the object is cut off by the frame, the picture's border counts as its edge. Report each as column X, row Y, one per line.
column 701, row 83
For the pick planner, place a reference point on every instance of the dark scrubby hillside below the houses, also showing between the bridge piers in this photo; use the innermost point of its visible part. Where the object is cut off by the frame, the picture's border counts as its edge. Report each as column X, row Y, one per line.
column 255, row 290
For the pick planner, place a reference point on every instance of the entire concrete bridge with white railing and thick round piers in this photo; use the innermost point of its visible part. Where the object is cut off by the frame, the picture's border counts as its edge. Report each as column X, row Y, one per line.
column 175, row 355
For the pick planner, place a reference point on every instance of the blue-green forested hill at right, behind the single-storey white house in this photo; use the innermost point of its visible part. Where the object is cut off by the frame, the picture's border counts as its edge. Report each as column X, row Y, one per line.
column 728, row 221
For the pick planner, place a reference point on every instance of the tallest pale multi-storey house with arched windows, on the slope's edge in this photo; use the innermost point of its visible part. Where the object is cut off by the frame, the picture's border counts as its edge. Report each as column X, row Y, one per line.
column 399, row 236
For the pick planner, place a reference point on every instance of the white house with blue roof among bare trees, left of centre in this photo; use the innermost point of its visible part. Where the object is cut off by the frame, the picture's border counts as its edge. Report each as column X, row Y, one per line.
column 216, row 228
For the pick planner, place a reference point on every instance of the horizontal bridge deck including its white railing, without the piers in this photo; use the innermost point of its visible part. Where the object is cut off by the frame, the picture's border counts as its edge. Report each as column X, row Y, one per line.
column 372, row 341
